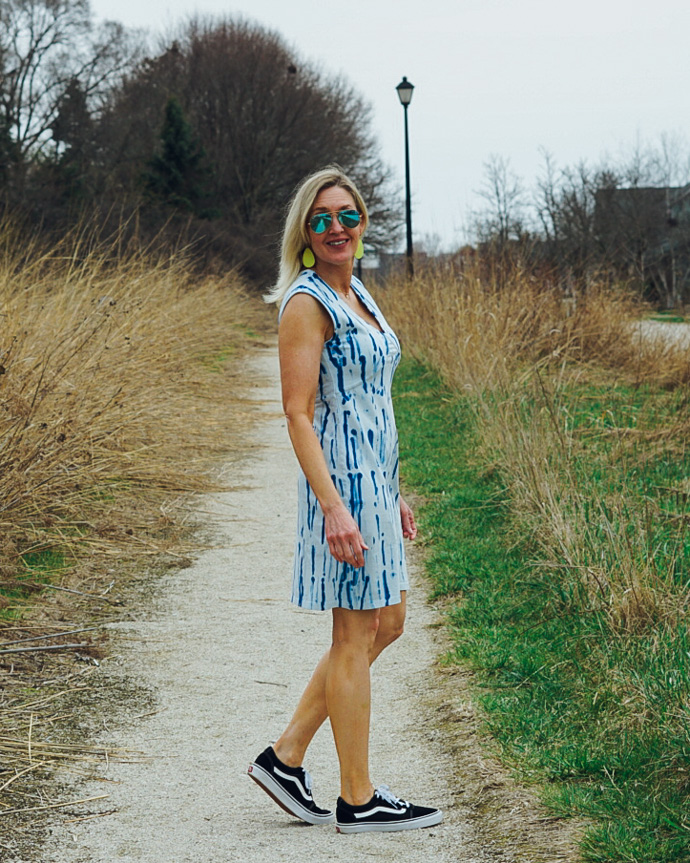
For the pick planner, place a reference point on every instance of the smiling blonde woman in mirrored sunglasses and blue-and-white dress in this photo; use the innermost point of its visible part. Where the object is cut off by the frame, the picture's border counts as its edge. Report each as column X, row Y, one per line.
column 337, row 358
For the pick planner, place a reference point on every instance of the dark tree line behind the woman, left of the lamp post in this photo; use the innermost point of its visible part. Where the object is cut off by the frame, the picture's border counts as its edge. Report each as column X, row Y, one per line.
column 199, row 141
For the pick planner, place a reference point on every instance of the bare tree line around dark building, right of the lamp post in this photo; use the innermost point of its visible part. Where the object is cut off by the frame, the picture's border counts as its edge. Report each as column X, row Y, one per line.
column 628, row 218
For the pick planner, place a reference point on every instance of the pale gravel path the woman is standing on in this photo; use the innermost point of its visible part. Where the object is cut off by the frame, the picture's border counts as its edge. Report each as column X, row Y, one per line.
column 226, row 657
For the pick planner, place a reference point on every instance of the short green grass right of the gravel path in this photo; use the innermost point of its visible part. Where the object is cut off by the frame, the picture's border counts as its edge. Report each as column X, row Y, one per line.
column 598, row 715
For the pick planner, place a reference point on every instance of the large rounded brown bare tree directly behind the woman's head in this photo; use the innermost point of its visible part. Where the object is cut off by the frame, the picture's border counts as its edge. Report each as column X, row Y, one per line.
column 264, row 117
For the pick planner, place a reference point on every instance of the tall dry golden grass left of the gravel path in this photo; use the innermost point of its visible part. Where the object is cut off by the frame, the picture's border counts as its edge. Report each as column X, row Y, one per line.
column 116, row 402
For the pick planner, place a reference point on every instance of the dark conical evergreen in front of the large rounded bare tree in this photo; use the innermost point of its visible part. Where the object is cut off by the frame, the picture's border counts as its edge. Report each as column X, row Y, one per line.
column 177, row 175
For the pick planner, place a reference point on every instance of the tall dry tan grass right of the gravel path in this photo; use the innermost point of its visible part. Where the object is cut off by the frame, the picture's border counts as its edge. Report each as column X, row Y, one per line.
column 516, row 348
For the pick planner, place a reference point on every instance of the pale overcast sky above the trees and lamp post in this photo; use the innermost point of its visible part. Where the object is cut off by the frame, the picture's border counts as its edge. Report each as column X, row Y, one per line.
column 506, row 77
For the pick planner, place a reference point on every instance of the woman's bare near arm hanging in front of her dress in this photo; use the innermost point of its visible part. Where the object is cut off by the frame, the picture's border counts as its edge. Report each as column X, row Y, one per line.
column 304, row 326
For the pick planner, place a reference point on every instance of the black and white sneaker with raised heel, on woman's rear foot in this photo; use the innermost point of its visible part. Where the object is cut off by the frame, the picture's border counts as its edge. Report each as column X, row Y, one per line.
column 290, row 787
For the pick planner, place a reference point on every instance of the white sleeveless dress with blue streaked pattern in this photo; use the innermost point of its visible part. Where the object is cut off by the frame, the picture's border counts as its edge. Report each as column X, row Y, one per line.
column 353, row 420
